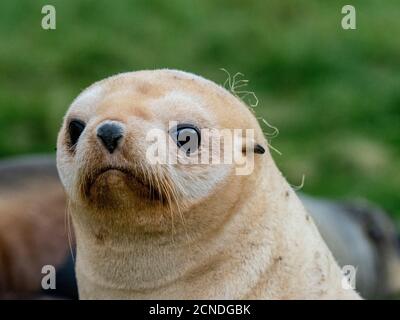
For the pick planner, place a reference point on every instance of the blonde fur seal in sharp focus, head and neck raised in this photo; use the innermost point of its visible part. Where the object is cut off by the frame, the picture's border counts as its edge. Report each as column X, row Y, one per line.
column 182, row 231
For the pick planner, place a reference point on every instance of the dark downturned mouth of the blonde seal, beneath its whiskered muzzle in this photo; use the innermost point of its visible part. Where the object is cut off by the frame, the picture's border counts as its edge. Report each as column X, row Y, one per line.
column 113, row 179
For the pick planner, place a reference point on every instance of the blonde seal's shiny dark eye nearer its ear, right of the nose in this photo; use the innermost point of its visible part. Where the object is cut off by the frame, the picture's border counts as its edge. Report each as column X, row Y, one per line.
column 187, row 137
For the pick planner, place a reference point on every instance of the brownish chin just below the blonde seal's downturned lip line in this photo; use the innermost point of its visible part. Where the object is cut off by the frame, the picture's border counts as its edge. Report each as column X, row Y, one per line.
column 115, row 186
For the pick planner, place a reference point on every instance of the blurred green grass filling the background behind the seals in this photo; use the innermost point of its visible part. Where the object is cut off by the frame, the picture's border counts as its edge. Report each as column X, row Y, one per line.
column 334, row 94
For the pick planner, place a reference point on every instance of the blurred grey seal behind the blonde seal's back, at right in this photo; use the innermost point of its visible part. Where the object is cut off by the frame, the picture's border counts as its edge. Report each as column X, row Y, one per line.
column 362, row 235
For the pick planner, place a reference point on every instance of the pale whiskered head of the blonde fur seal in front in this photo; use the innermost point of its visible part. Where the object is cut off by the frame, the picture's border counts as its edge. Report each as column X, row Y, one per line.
column 105, row 146
